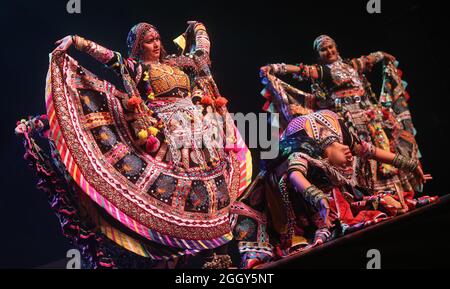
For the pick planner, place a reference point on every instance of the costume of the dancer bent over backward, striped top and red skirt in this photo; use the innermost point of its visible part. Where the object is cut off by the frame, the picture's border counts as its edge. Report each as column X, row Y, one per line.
column 294, row 224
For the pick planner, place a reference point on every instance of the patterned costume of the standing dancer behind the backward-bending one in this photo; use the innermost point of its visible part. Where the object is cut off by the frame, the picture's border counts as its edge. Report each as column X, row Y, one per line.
column 342, row 88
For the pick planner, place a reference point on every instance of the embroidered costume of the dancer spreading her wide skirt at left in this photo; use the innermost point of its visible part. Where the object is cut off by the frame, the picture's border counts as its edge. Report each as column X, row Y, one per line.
column 174, row 196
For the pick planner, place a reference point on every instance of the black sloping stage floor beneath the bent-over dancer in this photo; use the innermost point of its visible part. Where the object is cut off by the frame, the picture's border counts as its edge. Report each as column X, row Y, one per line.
column 417, row 239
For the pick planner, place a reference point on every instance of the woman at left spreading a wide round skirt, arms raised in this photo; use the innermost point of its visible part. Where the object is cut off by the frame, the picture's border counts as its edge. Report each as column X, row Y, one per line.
column 139, row 170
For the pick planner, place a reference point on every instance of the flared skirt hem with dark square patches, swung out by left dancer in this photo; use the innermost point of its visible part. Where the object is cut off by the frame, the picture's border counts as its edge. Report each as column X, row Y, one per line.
column 124, row 188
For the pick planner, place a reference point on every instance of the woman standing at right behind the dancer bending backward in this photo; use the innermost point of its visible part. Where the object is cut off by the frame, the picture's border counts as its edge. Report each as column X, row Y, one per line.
column 340, row 85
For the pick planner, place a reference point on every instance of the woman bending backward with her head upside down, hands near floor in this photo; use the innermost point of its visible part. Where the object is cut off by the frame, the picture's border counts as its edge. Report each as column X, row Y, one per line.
column 316, row 190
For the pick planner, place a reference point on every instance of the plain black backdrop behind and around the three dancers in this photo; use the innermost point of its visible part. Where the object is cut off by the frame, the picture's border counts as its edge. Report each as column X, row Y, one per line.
column 244, row 36
